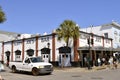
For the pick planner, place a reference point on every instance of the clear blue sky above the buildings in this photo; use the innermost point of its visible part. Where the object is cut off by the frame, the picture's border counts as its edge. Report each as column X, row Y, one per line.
column 39, row 16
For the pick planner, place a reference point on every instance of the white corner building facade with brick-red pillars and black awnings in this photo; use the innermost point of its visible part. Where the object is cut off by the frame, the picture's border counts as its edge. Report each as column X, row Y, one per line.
column 56, row 52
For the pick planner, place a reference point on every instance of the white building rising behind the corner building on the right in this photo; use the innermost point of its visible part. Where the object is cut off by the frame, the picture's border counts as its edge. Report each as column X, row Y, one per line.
column 110, row 30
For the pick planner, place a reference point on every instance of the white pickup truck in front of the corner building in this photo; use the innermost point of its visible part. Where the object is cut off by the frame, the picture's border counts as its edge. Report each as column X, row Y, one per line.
column 32, row 64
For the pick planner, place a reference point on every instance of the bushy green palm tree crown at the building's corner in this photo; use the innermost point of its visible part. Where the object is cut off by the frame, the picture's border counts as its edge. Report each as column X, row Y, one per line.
column 68, row 30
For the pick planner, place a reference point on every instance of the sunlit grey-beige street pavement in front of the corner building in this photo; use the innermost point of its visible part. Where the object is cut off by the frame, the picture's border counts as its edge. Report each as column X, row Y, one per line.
column 65, row 74
